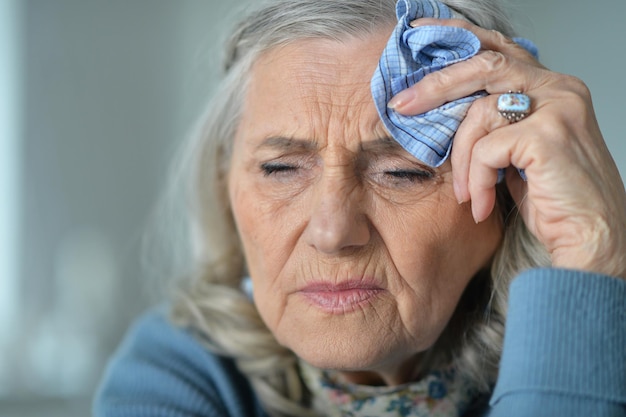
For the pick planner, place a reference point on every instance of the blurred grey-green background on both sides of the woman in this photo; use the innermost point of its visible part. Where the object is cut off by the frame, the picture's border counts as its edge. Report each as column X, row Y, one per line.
column 95, row 96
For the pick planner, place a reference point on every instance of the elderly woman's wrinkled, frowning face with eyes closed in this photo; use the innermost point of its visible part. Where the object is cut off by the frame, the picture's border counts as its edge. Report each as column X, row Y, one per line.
column 358, row 252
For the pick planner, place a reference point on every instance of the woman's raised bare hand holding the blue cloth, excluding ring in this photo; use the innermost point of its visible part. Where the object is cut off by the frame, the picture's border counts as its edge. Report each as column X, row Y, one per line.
column 573, row 200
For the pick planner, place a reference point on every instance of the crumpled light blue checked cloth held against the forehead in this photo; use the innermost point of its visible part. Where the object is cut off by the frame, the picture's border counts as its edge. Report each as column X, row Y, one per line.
column 411, row 54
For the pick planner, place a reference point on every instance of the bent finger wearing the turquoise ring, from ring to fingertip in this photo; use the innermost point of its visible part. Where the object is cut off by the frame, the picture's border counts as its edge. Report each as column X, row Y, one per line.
column 481, row 119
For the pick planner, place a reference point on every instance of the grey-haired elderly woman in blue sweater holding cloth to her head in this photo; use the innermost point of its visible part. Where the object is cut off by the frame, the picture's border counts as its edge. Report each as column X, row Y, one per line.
column 390, row 273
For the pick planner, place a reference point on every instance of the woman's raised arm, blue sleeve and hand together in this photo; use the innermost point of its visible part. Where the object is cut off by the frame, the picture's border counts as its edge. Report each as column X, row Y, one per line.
column 565, row 348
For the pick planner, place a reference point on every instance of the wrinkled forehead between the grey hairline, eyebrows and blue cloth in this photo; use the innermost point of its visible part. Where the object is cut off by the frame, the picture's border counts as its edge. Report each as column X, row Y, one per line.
column 318, row 84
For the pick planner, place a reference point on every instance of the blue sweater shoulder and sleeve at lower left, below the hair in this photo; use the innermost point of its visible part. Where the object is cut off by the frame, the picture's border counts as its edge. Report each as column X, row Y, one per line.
column 161, row 370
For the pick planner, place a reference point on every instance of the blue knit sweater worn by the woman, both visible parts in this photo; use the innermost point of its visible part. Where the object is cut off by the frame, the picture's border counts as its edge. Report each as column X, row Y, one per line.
column 564, row 355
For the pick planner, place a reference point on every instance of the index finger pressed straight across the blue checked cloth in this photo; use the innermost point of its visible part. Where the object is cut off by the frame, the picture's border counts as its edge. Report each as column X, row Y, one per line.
column 488, row 71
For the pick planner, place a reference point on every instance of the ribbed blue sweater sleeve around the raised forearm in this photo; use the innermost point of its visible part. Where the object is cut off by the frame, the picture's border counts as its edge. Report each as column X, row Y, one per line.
column 564, row 348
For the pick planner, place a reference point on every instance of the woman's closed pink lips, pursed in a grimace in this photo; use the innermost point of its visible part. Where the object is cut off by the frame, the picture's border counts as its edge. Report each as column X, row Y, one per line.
column 340, row 298
